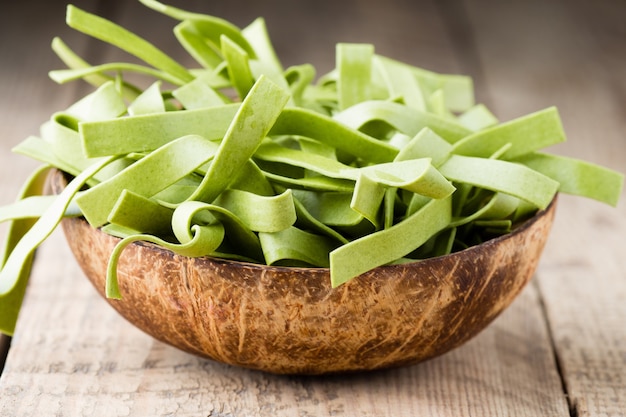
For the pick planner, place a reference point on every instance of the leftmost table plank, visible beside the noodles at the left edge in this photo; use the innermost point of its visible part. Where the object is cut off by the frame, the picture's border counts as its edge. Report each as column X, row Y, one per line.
column 27, row 96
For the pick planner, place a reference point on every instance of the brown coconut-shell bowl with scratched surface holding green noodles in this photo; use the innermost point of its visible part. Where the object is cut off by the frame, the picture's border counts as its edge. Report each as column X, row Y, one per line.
column 290, row 321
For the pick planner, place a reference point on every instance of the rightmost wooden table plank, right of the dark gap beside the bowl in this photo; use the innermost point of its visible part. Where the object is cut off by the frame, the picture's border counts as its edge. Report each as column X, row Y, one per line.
column 571, row 54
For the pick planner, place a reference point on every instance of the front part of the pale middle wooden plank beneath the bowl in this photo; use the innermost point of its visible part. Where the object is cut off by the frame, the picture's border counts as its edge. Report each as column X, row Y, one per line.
column 79, row 357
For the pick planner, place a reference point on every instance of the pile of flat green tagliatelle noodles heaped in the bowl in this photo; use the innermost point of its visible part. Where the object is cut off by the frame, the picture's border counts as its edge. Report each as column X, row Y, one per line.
column 376, row 162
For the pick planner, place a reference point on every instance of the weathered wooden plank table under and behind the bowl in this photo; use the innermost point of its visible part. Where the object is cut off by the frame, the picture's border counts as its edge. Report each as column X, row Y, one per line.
column 559, row 350
